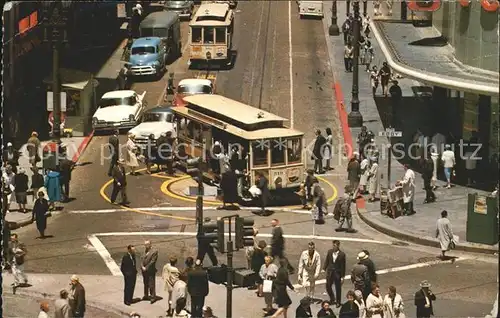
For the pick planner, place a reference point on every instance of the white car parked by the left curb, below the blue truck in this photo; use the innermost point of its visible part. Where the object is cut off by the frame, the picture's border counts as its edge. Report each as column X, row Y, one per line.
column 118, row 110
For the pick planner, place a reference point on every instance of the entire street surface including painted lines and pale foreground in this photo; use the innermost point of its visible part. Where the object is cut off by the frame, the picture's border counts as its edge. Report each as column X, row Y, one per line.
column 282, row 65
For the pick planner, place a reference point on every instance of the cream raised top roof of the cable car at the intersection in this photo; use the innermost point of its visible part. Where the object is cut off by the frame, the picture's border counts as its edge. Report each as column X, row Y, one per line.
column 235, row 110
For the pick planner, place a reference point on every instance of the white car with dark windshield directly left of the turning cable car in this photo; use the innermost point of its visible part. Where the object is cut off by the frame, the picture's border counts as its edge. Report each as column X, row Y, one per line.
column 154, row 121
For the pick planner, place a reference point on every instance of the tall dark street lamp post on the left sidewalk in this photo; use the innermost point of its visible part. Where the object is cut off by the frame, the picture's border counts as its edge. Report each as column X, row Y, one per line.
column 55, row 24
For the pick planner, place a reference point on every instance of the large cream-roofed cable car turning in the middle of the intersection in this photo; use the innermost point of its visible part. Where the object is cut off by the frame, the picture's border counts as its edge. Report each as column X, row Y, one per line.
column 265, row 145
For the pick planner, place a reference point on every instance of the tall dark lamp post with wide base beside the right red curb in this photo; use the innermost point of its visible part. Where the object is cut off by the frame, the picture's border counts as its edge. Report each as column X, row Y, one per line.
column 355, row 119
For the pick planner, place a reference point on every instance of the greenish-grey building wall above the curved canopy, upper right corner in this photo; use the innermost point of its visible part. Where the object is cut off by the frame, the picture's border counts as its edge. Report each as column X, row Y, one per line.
column 472, row 31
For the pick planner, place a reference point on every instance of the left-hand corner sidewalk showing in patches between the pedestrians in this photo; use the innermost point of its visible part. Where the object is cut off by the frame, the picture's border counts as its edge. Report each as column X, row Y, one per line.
column 75, row 147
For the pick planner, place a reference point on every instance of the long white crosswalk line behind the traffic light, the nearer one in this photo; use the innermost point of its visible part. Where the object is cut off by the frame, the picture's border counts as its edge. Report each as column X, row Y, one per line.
column 291, row 236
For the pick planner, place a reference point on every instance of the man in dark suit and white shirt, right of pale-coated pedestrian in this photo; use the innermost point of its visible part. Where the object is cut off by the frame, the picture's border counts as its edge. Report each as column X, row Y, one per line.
column 335, row 272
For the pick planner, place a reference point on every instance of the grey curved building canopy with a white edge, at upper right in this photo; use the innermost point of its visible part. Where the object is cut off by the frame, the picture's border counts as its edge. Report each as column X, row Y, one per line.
column 435, row 65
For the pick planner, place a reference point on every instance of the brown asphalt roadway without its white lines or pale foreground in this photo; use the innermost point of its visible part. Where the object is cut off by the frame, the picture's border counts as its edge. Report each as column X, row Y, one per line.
column 260, row 77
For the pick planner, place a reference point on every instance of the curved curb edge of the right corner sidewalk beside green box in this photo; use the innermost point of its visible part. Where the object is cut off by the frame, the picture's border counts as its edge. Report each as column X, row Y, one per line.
column 405, row 236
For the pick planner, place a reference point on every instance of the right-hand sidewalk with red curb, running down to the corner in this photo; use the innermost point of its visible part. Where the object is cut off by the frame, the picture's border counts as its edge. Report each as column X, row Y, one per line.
column 421, row 226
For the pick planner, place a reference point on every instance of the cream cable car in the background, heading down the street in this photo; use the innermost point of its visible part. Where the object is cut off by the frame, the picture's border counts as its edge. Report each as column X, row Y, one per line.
column 210, row 34
